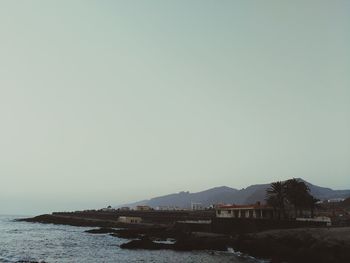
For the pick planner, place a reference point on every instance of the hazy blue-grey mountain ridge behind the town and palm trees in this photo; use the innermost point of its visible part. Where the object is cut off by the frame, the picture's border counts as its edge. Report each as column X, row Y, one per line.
column 227, row 195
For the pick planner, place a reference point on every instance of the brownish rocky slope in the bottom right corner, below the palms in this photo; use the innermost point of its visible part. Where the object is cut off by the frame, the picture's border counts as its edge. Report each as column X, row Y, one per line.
column 298, row 245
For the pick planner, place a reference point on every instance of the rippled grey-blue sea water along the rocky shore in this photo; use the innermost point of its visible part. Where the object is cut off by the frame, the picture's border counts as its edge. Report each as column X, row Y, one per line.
column 59, row 243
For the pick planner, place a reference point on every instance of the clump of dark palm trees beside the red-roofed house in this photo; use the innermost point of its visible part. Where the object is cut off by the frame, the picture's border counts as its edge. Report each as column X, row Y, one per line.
column 291, row 194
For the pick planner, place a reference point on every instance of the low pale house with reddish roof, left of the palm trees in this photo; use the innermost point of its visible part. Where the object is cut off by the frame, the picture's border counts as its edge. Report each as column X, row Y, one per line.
column 245, row 211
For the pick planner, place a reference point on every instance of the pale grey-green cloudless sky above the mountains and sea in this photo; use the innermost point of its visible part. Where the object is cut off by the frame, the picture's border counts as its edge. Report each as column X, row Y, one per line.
column 108, row 102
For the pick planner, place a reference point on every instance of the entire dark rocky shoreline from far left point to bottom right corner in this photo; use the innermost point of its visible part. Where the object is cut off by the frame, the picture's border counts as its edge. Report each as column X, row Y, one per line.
column 321, row 245
